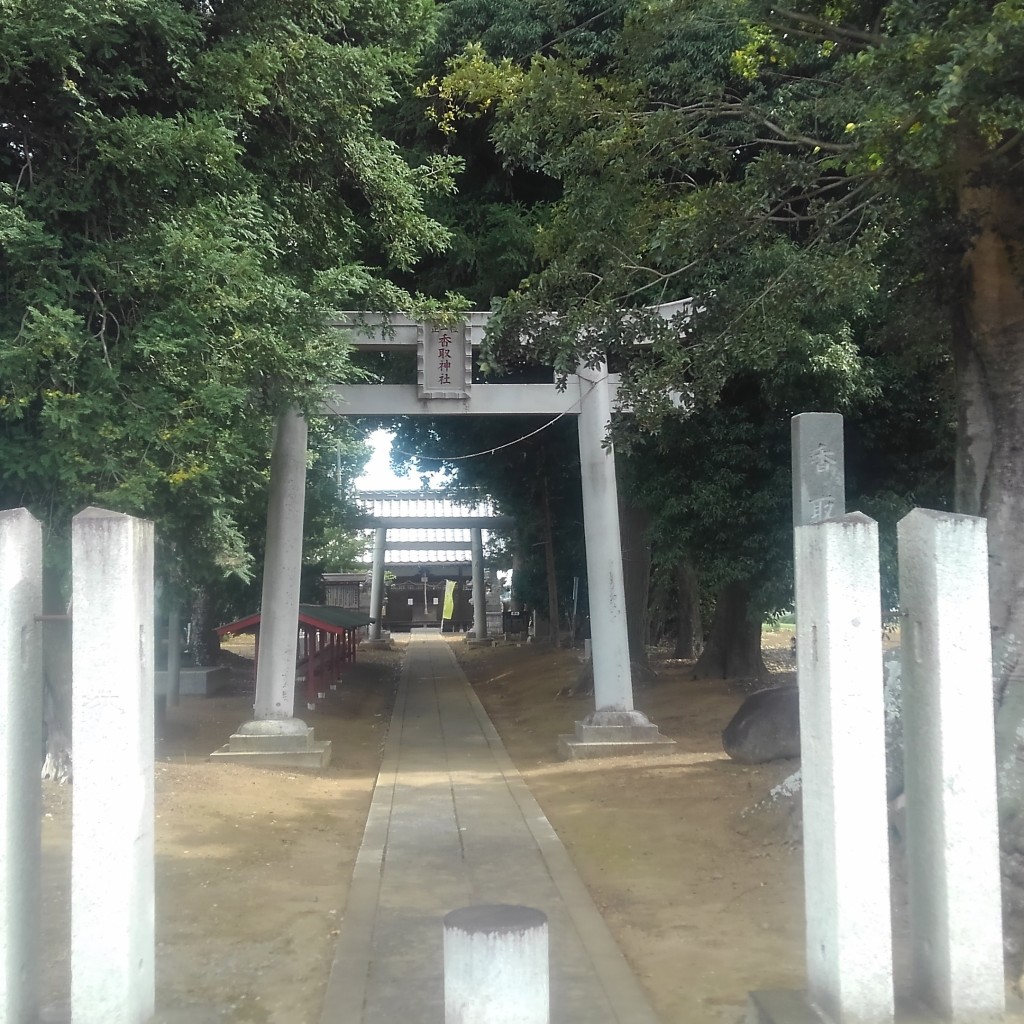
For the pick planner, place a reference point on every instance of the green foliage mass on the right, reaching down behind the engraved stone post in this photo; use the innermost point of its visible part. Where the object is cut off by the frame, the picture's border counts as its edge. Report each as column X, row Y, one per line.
column 760, row 161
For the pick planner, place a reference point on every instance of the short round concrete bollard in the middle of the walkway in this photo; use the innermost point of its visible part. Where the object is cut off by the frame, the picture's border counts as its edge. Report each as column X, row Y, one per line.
column 496, row 966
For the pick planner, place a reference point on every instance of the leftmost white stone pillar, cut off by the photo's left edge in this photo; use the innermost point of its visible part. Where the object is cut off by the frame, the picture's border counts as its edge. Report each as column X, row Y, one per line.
column 21, row 743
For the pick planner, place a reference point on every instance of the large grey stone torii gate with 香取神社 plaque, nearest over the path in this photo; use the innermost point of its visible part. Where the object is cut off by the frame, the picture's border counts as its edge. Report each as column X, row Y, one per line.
column 445, row 389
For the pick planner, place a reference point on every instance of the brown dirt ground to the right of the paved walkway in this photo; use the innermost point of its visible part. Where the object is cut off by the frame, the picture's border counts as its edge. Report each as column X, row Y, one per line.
column 704, row 897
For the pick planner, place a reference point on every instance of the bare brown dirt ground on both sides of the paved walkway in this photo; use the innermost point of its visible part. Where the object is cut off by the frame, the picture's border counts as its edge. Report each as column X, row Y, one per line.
column 253, row 866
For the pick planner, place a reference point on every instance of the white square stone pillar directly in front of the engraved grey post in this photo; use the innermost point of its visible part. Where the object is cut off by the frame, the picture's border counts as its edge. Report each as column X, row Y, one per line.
column 846, row 835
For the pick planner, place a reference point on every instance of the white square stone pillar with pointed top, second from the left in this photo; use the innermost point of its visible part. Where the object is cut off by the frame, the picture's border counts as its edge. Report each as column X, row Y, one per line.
column 112, row 903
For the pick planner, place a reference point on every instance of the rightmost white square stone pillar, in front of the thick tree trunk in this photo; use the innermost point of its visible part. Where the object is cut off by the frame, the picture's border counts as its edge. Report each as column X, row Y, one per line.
column 950, row 757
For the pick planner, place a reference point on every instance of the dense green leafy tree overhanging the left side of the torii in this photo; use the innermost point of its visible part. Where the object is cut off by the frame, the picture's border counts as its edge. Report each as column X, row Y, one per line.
column 188, row 191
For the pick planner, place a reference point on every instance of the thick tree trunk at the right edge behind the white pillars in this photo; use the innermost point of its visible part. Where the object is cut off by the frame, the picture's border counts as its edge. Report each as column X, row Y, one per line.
column 990, row 361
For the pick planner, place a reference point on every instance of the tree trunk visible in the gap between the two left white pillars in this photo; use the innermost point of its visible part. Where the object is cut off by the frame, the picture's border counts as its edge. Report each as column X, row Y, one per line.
column 57, row 684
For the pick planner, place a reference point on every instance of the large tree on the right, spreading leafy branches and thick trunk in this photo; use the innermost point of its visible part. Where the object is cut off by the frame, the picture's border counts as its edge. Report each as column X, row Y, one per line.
column 790, row 168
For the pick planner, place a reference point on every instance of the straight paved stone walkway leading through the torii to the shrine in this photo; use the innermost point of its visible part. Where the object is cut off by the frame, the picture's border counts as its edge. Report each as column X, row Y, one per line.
column 453, row 825
